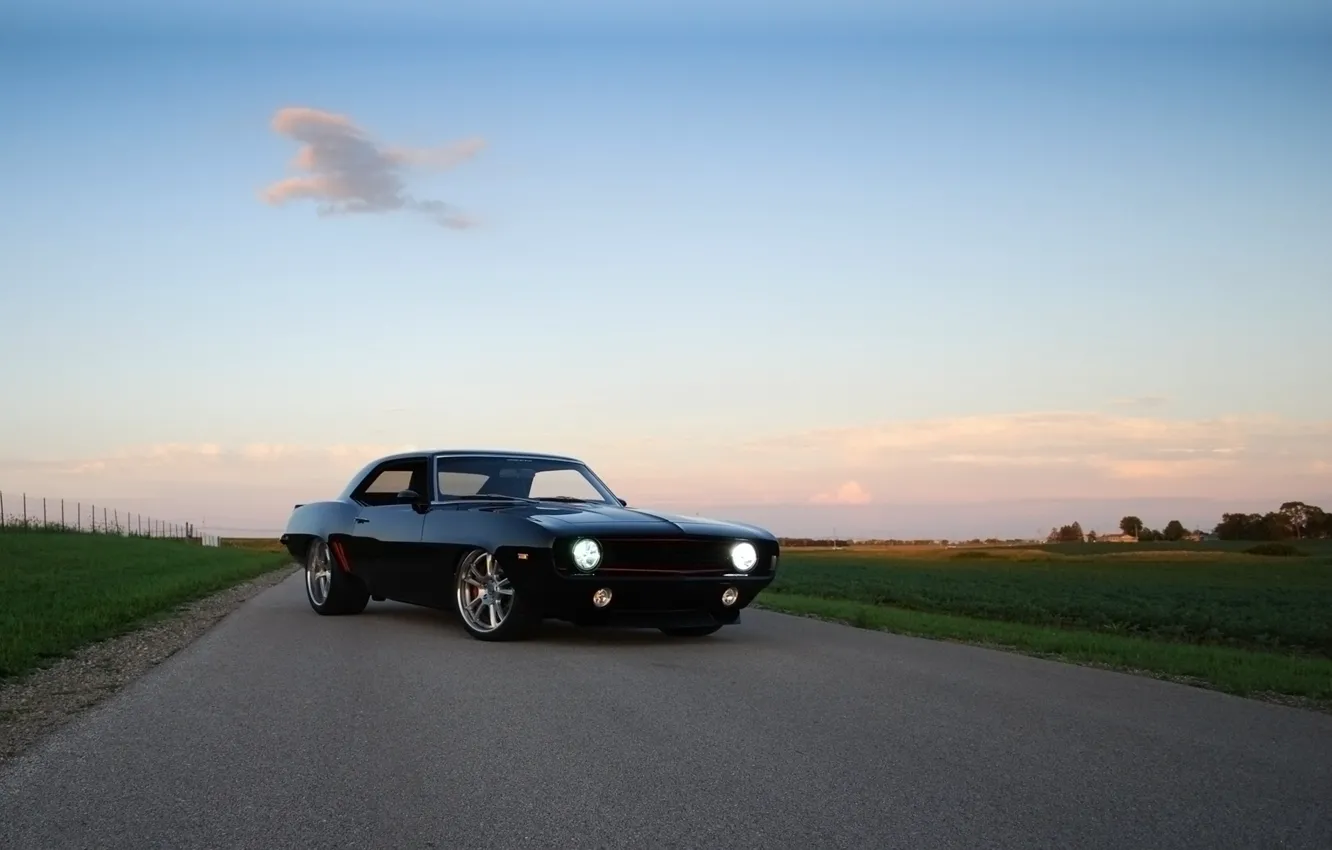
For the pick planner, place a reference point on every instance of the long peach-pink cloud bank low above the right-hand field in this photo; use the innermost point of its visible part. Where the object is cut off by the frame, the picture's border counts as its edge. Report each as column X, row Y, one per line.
column 1049, row 455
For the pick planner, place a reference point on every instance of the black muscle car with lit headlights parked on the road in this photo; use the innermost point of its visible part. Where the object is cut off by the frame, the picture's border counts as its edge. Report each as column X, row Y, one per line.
column 512, row 539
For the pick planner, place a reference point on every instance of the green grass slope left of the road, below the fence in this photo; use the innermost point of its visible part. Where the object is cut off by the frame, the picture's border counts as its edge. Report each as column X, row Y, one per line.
column 62, row 591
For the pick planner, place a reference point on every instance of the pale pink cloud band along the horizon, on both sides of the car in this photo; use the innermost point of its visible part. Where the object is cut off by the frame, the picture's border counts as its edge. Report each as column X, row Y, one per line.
column 998, row 458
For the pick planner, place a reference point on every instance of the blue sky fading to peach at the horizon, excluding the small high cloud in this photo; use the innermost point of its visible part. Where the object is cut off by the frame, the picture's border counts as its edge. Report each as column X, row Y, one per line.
column 720, row 262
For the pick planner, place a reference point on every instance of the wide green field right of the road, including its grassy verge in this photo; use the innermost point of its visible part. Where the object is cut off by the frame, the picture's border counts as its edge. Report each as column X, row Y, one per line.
column 1197, row 612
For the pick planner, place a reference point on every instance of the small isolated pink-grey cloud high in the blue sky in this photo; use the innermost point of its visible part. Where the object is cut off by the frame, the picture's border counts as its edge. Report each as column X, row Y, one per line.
column 350, row 174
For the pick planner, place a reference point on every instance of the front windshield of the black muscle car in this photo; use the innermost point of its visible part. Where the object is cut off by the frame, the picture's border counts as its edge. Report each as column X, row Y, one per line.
column 517, row 478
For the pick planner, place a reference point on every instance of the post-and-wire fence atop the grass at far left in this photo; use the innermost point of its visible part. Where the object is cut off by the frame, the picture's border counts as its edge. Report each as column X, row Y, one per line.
column 21, row 512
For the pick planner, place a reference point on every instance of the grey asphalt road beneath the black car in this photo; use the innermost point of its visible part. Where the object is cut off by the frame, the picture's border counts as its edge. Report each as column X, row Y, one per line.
column 284, row 729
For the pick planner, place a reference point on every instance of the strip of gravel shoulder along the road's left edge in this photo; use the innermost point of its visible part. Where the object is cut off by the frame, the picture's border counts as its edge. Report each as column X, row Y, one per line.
column 43, row 701
